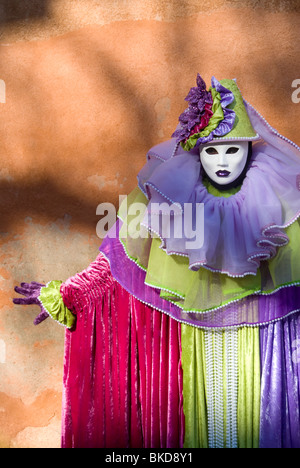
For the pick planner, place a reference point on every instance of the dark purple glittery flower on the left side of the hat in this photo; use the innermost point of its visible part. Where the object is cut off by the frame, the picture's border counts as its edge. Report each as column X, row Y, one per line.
column 200, row 101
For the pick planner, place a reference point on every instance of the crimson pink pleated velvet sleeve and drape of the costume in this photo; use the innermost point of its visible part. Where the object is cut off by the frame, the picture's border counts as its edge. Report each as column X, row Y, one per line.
column 122, row 382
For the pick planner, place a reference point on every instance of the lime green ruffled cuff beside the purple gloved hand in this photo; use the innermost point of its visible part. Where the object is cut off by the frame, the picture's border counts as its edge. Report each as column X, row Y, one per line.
column 53, row 303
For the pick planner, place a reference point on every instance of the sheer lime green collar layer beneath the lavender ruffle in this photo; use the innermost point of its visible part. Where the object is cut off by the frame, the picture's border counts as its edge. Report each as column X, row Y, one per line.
column 201, row 290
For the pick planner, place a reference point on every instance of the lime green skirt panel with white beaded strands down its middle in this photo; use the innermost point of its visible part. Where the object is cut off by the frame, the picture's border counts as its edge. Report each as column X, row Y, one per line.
column 238, row 387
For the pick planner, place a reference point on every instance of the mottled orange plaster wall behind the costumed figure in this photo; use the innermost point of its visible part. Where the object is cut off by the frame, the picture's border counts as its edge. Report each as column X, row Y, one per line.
column 90, row 85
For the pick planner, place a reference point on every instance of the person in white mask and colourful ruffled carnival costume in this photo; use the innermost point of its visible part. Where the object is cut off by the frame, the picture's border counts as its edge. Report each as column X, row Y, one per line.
column 184, row 331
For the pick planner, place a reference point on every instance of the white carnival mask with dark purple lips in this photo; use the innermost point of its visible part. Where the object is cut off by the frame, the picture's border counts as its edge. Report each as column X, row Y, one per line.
column 224, row 162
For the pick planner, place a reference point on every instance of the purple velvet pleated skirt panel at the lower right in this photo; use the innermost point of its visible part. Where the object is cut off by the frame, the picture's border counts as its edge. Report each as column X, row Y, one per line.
column 280, row 384
